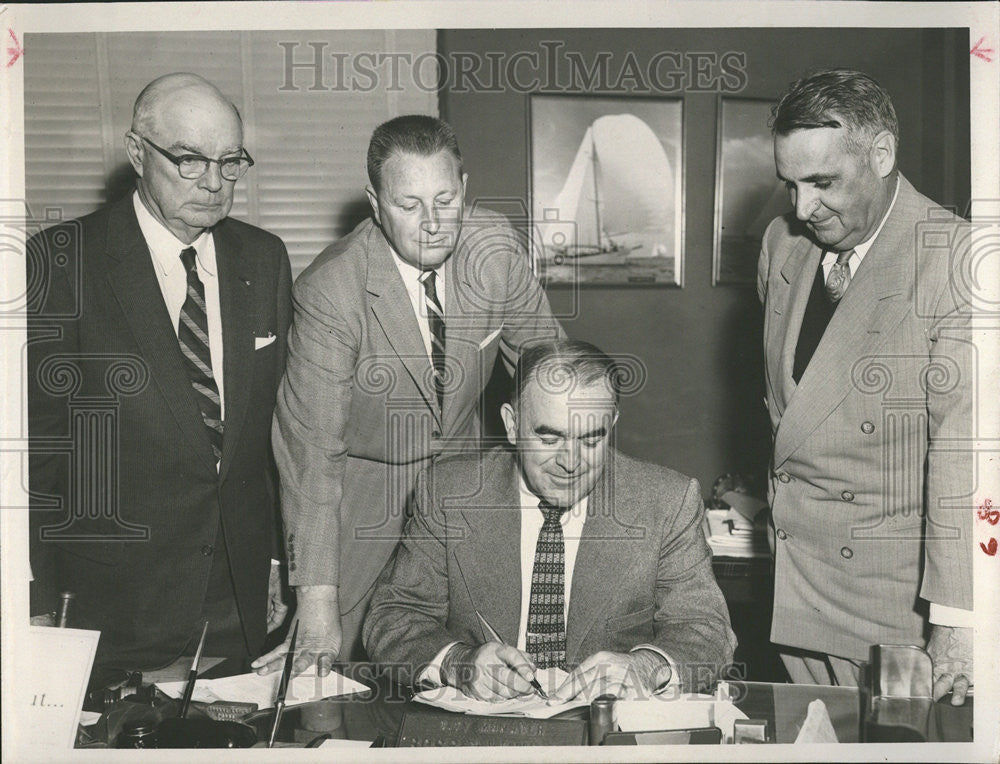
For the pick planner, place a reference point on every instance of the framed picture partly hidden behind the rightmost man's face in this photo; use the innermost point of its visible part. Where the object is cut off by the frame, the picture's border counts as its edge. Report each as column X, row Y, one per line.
column 748, row 194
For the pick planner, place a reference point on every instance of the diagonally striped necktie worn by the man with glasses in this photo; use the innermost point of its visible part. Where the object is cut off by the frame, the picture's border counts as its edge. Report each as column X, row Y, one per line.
column 192, row 333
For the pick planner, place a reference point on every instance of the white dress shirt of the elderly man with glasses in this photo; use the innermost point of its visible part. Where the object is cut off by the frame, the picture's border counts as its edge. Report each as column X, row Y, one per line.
column 165, row 250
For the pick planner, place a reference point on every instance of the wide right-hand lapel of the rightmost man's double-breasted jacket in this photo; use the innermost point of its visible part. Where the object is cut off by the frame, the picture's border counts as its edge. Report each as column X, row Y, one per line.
column 872, row 307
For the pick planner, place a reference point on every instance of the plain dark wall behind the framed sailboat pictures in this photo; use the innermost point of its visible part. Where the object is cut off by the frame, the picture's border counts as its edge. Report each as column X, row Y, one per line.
column 701, row 409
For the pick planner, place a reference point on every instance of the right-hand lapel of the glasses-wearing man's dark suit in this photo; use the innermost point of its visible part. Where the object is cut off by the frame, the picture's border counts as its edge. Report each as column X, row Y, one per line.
column 236, row 289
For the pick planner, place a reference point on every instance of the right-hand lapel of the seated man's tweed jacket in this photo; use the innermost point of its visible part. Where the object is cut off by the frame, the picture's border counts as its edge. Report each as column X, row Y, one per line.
column 601, row 560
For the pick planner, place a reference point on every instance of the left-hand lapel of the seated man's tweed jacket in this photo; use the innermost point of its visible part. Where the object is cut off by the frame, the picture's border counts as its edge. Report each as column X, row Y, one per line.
column 489, row 558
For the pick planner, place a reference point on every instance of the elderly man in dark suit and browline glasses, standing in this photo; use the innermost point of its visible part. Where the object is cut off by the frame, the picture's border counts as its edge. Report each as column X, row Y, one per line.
column 169, row 318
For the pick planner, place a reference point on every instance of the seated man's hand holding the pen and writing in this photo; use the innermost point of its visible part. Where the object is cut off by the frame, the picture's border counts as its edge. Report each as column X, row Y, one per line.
column 492, row 672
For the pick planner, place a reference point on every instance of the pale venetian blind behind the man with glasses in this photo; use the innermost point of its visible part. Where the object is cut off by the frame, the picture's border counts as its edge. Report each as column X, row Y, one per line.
column 307, row 127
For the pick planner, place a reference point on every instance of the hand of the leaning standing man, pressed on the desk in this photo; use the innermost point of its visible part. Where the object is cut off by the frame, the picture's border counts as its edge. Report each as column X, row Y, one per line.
column 320, row 635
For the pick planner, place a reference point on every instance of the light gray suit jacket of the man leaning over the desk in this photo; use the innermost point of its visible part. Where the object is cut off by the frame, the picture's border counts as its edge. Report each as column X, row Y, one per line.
column 357, row 416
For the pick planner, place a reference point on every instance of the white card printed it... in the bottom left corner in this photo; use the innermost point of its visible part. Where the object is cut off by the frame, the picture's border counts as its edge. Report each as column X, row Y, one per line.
column 54, row 684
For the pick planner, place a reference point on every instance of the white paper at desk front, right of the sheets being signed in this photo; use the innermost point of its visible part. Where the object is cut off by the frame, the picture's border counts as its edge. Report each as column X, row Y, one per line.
column 673, row 712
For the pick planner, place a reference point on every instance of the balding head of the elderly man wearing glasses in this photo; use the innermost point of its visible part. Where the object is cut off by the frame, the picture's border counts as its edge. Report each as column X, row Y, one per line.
column 181, row 115
